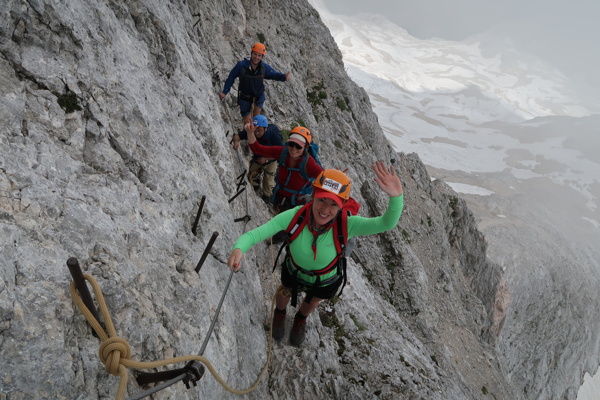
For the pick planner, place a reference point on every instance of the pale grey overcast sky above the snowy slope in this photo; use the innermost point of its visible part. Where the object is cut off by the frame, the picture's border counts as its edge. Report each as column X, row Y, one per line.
column 564, row 32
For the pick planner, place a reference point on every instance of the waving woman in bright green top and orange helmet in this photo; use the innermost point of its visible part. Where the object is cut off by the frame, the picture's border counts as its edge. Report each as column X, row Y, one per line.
column 312, row 260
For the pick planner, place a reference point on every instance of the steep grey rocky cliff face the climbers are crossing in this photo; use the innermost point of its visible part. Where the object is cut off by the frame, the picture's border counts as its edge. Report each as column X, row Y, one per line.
column 111, row 132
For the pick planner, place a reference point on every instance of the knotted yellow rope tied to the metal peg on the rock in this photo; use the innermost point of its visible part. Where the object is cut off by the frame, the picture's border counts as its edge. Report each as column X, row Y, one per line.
column 115, row 352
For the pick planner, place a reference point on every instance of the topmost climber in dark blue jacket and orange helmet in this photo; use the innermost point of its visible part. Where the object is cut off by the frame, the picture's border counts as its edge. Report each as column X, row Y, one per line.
column 251, row 87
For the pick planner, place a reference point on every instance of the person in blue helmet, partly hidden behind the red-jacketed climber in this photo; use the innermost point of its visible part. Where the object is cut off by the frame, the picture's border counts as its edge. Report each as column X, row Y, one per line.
column 261, row 165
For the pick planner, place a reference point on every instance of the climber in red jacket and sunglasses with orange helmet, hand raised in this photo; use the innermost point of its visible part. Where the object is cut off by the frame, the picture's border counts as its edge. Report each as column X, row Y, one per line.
column 295, row 172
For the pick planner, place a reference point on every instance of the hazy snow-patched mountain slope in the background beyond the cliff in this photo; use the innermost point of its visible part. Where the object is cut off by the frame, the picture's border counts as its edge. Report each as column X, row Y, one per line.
column 525, row 170
